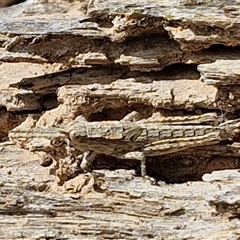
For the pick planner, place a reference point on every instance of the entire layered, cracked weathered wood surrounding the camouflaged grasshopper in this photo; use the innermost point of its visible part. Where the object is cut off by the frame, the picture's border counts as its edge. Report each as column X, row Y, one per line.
column 103, row 60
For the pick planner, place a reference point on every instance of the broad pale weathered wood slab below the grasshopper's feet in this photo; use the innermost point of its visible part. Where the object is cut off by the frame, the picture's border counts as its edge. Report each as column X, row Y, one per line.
column 120, row 206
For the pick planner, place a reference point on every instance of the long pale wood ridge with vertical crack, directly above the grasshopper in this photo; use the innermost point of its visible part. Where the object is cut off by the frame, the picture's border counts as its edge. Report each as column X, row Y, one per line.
column 158, row 94
